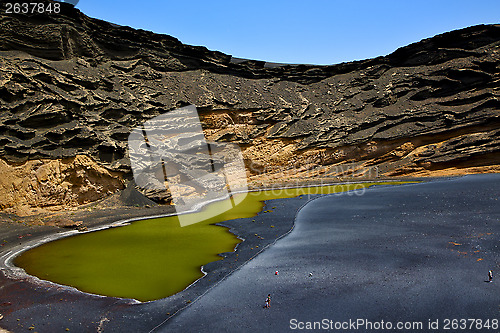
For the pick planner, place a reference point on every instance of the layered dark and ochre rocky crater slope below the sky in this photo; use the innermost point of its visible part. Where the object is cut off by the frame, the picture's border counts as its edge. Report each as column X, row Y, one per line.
column 71, row 85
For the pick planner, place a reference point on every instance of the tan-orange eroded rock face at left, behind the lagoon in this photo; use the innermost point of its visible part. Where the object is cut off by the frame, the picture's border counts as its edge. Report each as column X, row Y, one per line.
column 53, row 184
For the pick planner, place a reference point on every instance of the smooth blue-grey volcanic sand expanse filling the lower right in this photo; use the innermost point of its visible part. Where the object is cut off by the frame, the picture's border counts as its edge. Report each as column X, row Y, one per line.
column 383, row 256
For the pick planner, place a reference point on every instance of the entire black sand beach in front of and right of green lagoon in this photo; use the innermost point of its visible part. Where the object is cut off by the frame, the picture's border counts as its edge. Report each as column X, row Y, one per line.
column 390, row 254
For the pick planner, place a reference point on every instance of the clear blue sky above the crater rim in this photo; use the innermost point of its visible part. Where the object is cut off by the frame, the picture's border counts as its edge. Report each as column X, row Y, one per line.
column 315, row 31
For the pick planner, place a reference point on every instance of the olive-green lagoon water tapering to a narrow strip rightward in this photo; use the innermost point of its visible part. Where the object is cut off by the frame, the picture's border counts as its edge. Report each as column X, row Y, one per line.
column 154, row 258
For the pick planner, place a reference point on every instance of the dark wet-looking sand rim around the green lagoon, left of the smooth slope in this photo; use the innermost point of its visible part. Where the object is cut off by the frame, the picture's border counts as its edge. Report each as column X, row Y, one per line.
column 51, row 307
